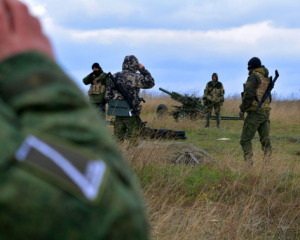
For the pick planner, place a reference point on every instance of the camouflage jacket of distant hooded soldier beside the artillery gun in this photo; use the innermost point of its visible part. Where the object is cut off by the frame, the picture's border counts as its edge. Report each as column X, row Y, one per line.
column 214, row 91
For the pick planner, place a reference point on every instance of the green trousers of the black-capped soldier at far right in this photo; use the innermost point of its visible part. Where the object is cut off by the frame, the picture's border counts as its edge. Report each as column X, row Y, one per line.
column 256, row 121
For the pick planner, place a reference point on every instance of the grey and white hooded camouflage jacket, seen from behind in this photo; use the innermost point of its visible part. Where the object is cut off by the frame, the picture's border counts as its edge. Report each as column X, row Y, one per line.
column 131, row 81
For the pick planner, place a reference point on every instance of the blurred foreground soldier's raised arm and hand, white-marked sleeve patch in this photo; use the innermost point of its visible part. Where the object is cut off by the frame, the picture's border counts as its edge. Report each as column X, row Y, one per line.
column 60, row 175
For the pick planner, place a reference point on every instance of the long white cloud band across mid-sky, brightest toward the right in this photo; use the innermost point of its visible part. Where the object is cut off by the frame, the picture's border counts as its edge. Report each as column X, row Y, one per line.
column 262, row 37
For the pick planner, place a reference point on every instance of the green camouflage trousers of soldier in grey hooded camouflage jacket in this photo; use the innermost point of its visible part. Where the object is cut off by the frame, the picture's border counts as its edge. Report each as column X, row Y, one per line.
column 126, row 126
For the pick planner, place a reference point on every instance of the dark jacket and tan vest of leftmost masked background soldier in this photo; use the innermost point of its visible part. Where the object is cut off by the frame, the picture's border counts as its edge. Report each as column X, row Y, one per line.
column 101, row 82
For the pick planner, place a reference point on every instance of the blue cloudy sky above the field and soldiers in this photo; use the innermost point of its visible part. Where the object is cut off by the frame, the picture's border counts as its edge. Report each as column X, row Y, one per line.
column 180, row 42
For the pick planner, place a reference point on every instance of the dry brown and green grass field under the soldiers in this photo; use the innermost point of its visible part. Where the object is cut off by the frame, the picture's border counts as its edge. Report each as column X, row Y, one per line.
column 227, row 200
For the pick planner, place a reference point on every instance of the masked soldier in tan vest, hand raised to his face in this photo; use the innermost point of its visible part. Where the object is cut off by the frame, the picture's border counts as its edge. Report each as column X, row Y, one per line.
column 99, row 81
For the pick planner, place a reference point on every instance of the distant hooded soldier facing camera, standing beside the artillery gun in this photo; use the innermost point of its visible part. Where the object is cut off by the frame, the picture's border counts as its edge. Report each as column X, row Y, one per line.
column 213, row 98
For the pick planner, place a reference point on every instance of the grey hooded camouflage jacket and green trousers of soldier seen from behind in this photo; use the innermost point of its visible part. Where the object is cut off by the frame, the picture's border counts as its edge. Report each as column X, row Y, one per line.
column 131, row 82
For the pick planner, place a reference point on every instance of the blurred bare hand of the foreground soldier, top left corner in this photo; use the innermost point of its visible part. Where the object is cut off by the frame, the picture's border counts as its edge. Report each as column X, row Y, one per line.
column 19, row 31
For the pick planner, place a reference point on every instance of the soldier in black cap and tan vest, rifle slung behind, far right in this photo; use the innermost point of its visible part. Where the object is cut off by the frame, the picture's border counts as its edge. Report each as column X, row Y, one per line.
column 255, row 87
